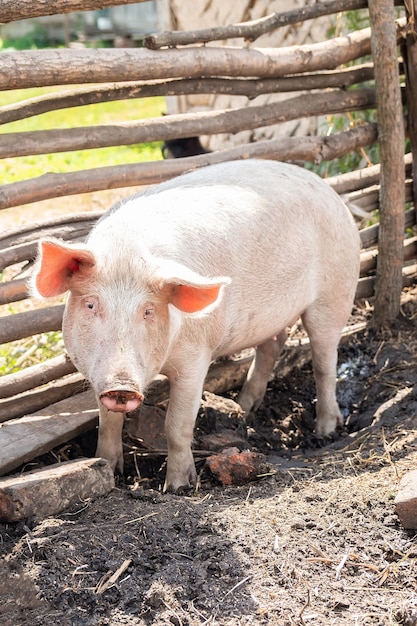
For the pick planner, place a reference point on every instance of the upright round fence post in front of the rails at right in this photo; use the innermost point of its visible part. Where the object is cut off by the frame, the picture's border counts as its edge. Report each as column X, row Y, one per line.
column 391, row 141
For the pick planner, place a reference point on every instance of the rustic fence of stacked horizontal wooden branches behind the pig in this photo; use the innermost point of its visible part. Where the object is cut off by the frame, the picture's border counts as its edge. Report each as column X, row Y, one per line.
column 332, row 72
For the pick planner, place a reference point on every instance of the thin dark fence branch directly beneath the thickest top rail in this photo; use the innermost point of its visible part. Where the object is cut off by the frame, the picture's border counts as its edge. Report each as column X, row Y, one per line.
column 341, row 79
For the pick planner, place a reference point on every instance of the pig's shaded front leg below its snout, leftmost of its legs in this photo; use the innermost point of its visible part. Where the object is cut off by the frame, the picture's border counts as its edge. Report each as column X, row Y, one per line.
column 109, row 444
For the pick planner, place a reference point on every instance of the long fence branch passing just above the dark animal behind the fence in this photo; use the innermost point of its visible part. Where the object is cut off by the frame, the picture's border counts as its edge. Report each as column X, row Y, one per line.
column 183, row 125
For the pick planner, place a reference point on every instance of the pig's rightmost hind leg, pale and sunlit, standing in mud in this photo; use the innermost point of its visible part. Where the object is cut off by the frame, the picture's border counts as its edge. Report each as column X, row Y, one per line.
column 324, row 326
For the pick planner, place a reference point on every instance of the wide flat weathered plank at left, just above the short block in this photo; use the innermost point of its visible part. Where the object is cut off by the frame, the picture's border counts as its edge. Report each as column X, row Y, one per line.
column 28, row 437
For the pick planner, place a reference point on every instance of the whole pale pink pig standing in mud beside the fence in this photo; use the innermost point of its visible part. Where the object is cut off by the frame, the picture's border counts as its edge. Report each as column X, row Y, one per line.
column 202, row 266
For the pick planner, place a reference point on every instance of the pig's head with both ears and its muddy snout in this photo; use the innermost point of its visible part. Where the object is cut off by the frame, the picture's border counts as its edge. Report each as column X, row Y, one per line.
column 122, row 315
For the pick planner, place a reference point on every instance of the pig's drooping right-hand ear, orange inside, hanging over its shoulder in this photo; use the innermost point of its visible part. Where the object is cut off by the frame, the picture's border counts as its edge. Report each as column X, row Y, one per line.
column 191, row 293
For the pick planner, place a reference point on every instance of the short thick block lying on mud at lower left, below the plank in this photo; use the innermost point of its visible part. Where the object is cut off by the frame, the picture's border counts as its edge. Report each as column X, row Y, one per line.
column 53, row 489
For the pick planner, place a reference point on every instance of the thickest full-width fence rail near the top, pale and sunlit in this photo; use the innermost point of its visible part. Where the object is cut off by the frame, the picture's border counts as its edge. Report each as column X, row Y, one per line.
column 40, row 68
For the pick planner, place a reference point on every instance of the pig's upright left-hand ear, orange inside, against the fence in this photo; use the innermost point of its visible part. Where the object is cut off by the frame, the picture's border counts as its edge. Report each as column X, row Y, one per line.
column 57, row 264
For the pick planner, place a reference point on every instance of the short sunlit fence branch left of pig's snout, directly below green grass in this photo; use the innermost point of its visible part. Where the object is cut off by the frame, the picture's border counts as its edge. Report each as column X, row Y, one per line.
column 35, row 376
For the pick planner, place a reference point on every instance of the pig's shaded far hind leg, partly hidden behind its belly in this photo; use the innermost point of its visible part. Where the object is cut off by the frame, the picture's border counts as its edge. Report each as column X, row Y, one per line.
column 254, row 388
